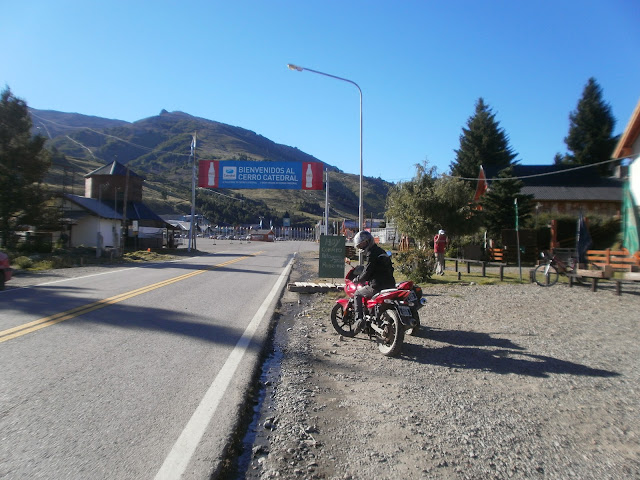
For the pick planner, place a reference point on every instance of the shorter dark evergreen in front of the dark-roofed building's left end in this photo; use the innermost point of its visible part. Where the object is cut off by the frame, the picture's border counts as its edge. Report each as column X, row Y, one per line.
column 498, row 204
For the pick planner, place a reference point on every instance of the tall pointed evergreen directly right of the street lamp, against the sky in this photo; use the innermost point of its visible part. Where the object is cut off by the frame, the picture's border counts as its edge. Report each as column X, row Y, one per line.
column 482, row 142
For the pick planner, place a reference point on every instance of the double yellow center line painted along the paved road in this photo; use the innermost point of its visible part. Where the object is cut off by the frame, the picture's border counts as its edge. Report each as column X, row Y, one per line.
column 75, row 312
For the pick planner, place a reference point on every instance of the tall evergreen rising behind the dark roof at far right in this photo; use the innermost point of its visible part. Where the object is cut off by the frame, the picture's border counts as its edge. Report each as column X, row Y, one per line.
column 591, row 126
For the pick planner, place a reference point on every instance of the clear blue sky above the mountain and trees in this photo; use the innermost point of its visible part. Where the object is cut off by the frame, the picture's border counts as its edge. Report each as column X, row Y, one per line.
column 421, row 65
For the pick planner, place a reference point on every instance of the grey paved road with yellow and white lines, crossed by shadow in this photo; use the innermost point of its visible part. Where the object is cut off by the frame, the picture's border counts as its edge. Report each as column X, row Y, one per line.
column 134, row 373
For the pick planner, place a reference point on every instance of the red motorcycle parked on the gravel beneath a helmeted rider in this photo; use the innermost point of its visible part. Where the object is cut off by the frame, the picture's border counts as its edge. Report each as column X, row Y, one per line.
column 388, row 315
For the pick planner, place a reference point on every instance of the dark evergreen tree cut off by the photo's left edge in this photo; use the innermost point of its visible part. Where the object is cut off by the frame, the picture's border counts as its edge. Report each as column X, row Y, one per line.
column 23, row 165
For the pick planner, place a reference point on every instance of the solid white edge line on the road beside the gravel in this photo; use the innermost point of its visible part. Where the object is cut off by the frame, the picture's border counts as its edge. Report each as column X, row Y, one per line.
column 178, row 459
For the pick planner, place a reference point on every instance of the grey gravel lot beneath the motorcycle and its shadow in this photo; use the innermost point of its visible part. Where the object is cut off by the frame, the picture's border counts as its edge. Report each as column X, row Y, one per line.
column 503, row 381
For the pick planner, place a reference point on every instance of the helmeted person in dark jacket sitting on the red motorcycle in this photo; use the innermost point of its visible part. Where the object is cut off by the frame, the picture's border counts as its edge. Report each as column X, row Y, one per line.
column 378, row 271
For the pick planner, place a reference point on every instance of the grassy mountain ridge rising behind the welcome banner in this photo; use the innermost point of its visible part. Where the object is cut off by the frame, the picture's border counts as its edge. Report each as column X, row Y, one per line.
column 158, row 148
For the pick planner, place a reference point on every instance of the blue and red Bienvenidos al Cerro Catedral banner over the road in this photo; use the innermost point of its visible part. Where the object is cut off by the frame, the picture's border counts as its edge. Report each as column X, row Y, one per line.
column 238, row 174
